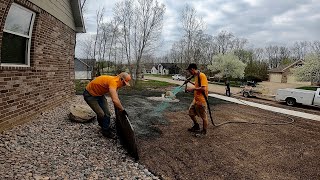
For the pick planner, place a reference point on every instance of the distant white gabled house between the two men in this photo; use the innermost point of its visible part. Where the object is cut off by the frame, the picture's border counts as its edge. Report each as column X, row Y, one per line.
column 162, row 69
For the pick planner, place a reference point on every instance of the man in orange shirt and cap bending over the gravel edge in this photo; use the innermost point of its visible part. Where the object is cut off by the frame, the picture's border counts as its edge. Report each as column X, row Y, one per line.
column 94, row 96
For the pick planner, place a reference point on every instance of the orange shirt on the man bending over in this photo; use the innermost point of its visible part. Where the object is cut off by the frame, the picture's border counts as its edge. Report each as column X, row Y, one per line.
column 101, row 85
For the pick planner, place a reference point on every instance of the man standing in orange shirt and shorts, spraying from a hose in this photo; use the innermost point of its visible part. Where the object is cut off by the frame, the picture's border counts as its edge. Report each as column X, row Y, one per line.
column 198, row 106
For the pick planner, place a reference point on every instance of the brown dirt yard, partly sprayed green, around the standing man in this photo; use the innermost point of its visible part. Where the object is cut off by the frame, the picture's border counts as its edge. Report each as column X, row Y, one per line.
column 231, row 151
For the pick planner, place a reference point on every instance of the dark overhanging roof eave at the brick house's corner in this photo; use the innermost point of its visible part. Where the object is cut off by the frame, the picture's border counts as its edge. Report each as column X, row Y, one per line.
column 77, row 16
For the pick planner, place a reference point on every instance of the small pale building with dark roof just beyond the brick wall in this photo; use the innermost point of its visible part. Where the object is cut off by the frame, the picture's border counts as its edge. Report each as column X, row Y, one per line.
column 84, row 68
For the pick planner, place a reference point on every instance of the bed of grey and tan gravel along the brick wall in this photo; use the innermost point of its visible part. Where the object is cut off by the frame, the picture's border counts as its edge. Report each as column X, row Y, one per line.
column 50, row 146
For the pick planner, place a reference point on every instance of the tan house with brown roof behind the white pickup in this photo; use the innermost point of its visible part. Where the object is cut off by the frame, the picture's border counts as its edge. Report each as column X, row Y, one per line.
column 283, row 73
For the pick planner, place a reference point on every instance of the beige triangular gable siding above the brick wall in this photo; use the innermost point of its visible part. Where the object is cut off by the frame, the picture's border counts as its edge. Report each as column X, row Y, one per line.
column 61, row 9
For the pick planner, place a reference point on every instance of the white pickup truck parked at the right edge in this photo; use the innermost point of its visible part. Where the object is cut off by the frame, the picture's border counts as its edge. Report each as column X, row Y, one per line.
column 294, row 96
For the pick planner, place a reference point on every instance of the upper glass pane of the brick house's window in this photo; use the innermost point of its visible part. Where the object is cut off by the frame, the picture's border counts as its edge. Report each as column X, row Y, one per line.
column 18, row 20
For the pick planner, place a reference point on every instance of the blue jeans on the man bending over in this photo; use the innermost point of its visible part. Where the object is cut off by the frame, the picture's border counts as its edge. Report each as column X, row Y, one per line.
column 99, row 105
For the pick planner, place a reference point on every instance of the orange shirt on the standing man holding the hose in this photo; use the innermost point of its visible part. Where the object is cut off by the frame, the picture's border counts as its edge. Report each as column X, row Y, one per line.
column 198, row 96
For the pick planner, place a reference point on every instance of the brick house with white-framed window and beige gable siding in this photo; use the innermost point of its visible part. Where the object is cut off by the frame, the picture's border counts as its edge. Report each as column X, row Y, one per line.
column 37, row 43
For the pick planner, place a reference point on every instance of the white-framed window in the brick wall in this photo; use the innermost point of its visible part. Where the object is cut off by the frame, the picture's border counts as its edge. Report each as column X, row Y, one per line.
column 16, row 39
